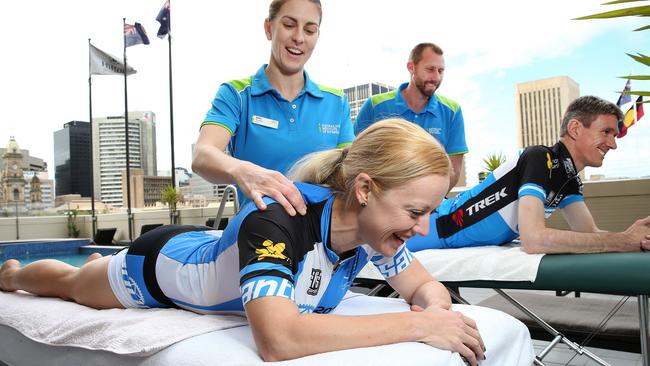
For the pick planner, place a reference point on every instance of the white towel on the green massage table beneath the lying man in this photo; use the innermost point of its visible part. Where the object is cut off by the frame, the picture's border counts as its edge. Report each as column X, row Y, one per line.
column 491, row 263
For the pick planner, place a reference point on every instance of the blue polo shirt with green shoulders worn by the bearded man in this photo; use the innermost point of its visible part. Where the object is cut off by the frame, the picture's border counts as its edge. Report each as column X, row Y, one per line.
column 442, row 117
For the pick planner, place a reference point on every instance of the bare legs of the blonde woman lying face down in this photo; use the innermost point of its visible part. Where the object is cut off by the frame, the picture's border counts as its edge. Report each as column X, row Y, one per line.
column 87, row 285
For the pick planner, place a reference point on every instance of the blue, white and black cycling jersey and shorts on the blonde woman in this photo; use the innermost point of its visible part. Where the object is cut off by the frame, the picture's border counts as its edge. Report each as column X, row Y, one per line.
column 260, row 253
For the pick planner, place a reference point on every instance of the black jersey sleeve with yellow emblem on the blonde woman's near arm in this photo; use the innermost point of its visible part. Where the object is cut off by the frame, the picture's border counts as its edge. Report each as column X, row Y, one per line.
column 266, row 255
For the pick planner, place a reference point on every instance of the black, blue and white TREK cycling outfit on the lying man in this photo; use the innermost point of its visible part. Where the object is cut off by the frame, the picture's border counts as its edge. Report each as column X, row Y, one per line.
column 488, row 213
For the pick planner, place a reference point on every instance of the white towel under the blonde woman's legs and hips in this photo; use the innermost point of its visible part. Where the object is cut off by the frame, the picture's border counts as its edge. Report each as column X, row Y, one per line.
column 134, row 332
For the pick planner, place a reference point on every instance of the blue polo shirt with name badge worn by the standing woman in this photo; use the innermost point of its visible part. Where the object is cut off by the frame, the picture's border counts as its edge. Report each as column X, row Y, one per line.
column 273, row 132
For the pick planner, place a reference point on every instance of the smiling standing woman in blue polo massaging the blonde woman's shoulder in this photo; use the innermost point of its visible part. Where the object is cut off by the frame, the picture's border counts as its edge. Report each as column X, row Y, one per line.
column 270, row 120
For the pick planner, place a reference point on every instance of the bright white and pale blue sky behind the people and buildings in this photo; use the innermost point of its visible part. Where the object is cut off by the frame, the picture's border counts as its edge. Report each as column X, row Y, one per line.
column 489, row 47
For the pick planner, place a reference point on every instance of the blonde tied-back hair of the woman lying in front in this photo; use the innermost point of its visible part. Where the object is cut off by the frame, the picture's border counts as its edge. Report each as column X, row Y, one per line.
column 392, row 152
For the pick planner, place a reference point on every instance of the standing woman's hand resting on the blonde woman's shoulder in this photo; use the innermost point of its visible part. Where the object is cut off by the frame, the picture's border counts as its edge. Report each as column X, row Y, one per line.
column 257, row 182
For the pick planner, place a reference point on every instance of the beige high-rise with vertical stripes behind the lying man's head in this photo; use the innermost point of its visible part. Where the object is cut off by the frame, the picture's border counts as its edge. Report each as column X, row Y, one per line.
column 540, row 105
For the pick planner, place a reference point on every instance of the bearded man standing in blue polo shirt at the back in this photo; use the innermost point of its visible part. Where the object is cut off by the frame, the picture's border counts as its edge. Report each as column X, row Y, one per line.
column 417, row 102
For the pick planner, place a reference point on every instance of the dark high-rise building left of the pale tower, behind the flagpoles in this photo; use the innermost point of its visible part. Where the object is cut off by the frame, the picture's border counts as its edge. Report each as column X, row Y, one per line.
column 72, row 159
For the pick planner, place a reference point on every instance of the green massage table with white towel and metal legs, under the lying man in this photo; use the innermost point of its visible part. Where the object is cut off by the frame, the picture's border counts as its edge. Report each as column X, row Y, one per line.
column 625, row 274
